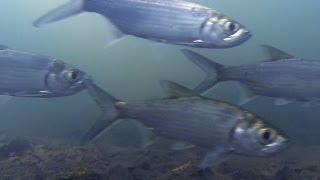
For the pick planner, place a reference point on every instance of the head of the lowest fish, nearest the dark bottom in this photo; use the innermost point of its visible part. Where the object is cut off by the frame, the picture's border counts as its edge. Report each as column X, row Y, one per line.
column 254, row 137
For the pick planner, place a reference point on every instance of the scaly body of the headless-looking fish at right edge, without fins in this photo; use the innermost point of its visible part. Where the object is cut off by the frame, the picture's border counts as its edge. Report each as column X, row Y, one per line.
column 293, row 79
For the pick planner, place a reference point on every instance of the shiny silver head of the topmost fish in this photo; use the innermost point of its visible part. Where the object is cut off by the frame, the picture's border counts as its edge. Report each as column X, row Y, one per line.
column 222, row 32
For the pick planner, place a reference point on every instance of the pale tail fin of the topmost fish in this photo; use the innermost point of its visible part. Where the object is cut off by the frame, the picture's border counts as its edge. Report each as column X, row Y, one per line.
column 72, row 8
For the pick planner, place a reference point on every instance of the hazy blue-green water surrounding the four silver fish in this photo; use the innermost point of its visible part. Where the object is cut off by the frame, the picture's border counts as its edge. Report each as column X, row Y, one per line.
column 131, row 68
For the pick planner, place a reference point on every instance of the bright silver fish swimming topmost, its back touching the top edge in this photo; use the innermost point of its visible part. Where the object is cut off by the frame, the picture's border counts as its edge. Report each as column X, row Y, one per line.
column 167, row 21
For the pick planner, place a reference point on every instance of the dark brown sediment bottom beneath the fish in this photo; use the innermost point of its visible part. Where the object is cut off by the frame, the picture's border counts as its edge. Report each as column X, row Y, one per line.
column 29, row 159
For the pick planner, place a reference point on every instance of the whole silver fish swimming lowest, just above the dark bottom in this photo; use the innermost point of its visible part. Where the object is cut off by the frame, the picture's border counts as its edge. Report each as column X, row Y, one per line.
column 192, row 120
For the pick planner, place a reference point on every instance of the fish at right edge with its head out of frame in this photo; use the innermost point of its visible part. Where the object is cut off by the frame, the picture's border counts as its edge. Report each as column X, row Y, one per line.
column 283, row 76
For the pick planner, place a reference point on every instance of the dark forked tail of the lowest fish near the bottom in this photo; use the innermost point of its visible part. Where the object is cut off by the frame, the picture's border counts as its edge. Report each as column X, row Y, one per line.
column 109, row 112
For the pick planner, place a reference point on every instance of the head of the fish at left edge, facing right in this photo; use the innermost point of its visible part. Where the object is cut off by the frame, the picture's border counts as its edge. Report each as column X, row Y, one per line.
column 63, row 79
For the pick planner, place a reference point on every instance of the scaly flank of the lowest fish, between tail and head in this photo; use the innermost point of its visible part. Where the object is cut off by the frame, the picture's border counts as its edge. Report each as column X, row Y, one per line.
column 197, row 120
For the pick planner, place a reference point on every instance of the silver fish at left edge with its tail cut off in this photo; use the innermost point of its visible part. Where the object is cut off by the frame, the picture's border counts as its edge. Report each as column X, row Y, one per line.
column 26, row 74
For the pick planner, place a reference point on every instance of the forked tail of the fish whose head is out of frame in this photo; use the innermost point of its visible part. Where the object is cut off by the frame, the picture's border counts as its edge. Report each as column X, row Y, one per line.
column 210, row 67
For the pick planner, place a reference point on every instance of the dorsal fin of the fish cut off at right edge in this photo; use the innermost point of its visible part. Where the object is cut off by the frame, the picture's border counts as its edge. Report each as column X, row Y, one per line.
column 275, row 54
